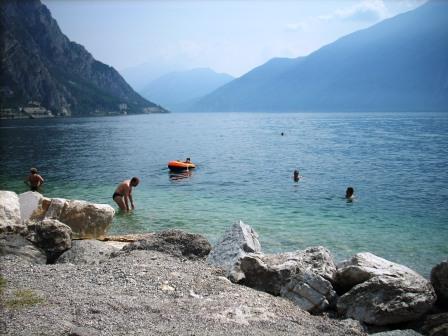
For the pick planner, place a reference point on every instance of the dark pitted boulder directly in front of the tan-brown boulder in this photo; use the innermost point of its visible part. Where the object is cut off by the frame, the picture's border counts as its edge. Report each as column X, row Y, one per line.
column 50, row 235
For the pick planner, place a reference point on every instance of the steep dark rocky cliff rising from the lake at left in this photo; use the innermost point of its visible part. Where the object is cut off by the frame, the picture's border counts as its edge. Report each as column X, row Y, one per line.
column 40, row 64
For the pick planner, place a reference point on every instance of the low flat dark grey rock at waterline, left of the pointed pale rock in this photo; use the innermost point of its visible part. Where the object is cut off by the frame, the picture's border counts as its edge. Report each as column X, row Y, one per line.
column 175, row 242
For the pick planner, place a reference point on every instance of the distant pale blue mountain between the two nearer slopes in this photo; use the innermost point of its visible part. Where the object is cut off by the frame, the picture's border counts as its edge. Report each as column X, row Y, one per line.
column 177, row 89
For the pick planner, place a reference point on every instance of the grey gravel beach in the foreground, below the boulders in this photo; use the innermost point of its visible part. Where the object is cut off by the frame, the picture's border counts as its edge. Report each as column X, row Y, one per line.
column 146, row 293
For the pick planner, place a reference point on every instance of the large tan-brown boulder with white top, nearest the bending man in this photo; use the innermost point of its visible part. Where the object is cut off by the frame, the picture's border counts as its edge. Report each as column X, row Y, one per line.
column 87, row 220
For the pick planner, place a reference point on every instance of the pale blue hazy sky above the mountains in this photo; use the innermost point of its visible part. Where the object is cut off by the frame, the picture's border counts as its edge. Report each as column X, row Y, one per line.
column 229, row 37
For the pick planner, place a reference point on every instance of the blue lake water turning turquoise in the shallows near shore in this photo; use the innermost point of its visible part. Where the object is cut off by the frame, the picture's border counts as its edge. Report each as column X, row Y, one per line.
column 397, row 164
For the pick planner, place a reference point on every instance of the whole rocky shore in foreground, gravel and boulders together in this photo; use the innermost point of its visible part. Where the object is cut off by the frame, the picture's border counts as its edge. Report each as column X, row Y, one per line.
column 175, row 283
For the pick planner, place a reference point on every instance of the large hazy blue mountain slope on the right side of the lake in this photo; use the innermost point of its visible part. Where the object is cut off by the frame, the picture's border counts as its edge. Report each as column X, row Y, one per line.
column 400, row 64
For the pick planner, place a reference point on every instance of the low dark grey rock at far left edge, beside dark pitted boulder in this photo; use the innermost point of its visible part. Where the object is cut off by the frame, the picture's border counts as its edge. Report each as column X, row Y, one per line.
column 16, row 245
